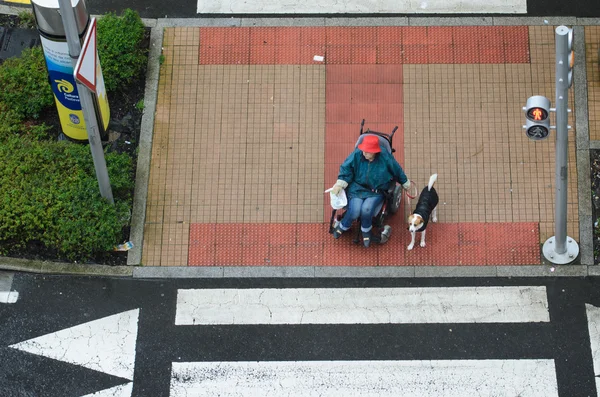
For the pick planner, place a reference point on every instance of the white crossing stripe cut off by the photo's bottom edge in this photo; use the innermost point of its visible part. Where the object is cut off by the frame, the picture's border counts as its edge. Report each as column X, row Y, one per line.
column 439, row 378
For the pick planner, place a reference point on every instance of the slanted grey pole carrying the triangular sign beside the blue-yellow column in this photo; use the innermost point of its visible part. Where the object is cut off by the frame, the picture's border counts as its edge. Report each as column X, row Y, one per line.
column 87, row 104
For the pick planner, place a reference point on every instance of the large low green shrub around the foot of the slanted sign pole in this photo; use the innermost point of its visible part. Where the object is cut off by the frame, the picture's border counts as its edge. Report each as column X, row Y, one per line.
column 50, row 195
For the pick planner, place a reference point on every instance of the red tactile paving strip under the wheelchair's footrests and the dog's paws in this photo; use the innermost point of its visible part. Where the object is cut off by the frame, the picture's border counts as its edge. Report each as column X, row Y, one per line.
column 447, row 244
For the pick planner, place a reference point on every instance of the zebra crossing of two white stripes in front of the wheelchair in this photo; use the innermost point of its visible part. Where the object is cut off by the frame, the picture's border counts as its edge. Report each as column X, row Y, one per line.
column 456, row 305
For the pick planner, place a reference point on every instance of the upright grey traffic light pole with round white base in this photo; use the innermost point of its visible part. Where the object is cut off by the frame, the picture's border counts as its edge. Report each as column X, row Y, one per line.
column 560, row 248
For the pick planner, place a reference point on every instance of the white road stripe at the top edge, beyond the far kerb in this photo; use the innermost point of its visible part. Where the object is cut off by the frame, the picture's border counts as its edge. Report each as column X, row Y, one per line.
column 363, row 6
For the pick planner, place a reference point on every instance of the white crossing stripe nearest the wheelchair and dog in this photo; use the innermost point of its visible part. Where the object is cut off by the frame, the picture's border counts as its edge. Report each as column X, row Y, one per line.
column 362, row 305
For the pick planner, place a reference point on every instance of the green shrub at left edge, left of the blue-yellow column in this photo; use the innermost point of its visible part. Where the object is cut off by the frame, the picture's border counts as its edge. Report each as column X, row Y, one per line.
column 24, row 87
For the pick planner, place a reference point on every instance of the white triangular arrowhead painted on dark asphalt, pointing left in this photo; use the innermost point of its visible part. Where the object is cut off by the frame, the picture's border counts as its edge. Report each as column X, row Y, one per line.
column 106, row 345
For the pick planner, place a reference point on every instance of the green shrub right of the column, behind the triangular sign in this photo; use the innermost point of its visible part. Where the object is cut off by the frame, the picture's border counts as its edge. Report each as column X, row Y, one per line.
column 119, row 50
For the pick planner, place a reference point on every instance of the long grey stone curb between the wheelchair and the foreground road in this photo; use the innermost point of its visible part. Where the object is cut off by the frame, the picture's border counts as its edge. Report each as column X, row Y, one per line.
column 219, row 272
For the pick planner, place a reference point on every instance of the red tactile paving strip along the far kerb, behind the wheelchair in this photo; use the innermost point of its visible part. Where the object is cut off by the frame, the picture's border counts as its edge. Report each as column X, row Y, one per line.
column 364, row 45
